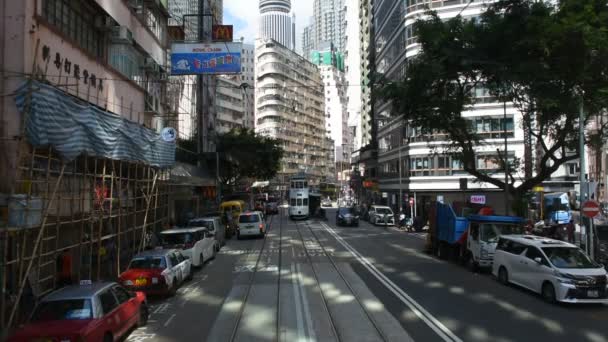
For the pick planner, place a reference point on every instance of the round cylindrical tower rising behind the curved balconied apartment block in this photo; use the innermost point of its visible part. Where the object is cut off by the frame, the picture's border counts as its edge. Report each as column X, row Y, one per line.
column 276, row 22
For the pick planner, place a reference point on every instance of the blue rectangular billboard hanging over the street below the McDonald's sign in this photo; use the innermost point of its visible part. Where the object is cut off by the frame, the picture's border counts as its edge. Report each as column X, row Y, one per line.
column 205, row 58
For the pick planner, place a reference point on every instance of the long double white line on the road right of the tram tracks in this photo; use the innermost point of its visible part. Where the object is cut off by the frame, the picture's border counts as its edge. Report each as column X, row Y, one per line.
column 439, row 328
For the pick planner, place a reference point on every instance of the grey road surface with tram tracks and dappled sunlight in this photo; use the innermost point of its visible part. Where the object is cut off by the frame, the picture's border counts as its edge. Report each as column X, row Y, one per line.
column 313, row 281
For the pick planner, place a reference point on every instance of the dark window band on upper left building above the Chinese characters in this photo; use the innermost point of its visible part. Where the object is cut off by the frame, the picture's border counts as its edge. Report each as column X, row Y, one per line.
column 76, row 20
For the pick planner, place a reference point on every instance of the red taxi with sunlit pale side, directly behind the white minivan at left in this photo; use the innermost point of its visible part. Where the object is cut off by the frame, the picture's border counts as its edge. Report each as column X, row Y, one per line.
column 157, row 272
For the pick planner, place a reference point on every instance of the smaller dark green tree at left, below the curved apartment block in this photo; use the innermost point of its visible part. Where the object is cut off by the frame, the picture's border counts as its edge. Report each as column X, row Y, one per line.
column 244, row 154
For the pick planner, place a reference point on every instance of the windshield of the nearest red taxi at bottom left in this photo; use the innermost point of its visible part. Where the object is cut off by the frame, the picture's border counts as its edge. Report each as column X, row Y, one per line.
column 68, row 309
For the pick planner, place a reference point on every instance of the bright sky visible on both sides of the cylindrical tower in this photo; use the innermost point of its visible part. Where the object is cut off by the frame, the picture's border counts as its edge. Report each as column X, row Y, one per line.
column 244, row 15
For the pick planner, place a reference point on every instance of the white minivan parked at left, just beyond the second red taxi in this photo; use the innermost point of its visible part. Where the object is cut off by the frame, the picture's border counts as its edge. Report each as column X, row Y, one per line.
column 196, row 243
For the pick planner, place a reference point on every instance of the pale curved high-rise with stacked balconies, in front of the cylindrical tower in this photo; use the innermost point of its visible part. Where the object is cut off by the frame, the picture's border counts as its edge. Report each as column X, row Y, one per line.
column 290, row 107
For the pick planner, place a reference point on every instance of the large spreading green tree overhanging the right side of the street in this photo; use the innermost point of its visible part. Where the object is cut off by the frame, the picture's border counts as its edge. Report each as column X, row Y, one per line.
column 541, row 57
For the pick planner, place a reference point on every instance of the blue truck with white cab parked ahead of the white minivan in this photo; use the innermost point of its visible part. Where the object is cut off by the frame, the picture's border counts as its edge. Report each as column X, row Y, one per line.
column 469, row 239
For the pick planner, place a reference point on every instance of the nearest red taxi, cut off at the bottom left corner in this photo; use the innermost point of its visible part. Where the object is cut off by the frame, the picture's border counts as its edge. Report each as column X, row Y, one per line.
column 103, row 311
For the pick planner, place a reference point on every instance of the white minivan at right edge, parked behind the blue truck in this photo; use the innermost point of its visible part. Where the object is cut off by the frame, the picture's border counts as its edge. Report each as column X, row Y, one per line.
column 557, row 270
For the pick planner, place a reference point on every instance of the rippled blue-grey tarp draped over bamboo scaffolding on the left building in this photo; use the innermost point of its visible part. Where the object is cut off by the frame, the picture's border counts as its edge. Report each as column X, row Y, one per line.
column 73, row 127
